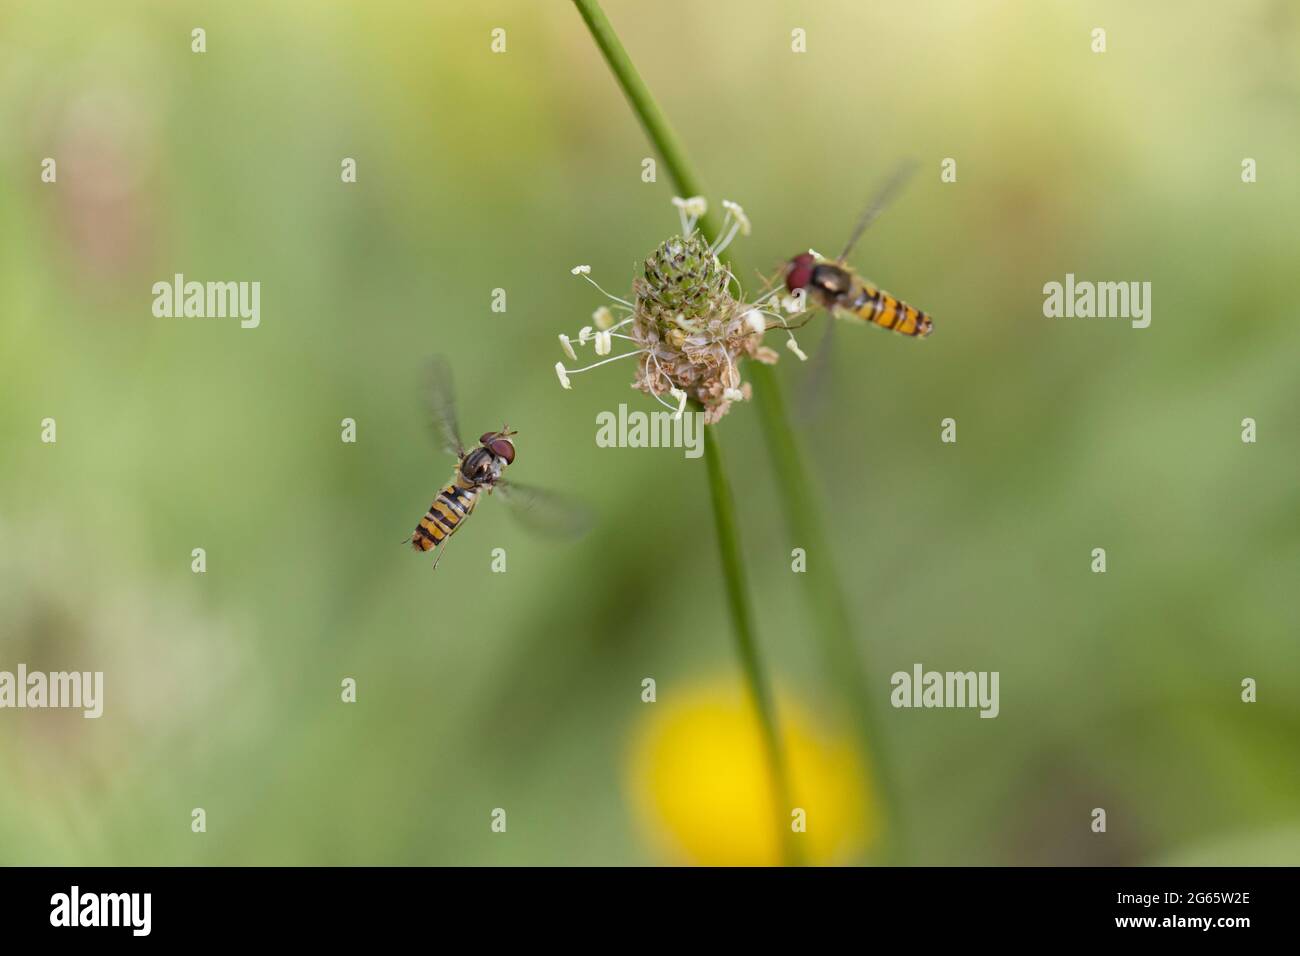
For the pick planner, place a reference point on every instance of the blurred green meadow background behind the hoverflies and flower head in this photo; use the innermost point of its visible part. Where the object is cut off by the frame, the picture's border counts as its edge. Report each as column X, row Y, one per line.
column 522, row 690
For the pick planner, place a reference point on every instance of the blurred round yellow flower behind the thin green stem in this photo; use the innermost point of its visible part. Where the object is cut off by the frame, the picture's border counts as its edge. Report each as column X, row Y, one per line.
column 700, row 784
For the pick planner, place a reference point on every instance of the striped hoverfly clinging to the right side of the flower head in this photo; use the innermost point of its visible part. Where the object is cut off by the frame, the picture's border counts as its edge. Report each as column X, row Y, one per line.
column 842, row 292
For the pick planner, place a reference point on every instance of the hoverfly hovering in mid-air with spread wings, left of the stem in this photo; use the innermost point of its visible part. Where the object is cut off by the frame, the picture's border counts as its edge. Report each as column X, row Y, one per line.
column 480, row 471
